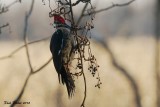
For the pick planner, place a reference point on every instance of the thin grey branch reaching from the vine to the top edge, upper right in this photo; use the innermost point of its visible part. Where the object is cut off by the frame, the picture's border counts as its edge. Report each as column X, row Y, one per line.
column 110, row 7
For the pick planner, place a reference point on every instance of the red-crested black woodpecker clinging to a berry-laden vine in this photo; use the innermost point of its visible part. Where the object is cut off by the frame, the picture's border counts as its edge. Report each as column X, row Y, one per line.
column 62, row 46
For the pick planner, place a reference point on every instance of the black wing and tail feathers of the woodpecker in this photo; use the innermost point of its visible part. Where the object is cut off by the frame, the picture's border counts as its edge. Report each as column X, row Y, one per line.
column 56, row 46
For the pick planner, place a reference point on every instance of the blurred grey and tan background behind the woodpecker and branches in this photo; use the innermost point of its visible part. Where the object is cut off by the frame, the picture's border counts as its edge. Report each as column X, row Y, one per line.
column 124, row 41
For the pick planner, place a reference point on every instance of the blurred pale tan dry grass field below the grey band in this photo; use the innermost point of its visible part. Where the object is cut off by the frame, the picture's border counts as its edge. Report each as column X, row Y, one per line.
column 136, row 54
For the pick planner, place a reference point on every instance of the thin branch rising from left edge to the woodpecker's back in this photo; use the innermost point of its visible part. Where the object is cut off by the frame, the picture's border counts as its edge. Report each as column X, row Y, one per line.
column 21, row 47
